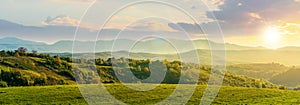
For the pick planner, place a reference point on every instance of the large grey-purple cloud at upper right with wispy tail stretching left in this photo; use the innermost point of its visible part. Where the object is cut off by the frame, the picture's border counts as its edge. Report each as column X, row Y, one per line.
column 247, row 17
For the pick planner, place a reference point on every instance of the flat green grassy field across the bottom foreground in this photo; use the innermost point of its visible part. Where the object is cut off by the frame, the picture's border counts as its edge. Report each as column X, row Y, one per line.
column 71, row 95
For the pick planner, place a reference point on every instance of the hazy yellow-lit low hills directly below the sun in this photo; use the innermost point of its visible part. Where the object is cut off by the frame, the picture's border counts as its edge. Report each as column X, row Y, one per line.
column 286, row 57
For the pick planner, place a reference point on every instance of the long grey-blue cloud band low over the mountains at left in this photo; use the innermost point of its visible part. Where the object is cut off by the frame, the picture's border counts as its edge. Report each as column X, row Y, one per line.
column 53, row 33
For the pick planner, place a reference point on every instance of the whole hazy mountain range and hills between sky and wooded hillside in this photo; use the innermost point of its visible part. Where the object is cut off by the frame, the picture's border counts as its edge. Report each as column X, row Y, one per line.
column 235, row 54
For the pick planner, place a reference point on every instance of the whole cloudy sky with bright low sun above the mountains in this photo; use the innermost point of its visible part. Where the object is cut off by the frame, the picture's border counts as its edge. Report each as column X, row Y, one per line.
column 267, row 23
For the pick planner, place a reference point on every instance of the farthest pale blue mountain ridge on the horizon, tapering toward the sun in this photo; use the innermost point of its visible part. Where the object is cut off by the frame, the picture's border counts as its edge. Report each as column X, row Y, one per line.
column 157, row 46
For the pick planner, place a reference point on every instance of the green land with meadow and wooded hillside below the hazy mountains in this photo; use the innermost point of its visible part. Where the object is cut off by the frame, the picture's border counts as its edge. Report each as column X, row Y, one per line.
column 30, row 78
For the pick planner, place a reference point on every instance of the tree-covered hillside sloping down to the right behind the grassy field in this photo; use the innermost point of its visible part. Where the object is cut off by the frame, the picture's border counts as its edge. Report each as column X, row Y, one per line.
column 28, row 69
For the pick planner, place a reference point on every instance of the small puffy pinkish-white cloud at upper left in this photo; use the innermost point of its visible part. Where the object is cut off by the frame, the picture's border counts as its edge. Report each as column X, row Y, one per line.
column 61, row 20
